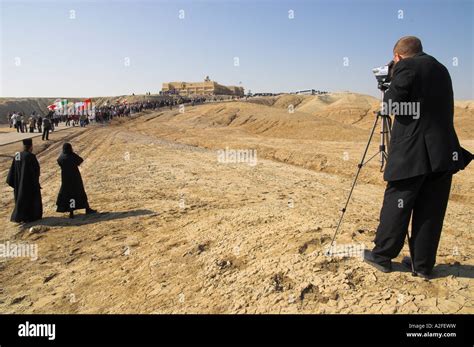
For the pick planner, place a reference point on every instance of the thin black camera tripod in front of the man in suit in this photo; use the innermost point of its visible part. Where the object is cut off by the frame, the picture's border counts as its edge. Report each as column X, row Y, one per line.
column 385, row 134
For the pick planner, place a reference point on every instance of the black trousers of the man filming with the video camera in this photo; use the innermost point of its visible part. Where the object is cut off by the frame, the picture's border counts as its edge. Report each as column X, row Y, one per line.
column 423, row 199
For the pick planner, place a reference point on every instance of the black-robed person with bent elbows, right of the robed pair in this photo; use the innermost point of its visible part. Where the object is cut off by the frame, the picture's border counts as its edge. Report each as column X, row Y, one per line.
column 72, row 195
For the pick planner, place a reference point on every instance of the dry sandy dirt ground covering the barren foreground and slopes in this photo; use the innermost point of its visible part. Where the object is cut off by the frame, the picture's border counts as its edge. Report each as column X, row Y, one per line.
column 183, row 231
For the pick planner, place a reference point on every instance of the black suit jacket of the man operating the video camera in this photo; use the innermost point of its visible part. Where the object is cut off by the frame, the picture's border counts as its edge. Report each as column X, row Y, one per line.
column 425, row 142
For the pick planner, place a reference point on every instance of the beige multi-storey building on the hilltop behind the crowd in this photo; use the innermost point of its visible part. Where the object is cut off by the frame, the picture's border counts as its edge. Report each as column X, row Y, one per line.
column 207, row 87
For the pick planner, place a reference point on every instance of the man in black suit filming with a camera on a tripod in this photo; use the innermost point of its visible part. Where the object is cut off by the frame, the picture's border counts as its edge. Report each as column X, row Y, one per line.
column 423, row 155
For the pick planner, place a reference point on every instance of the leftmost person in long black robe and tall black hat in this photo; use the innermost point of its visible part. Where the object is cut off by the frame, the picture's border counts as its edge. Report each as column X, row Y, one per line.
column 23, row 177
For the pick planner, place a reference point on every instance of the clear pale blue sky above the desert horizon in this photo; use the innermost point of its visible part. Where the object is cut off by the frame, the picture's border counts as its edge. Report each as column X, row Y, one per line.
column 101, row 48
